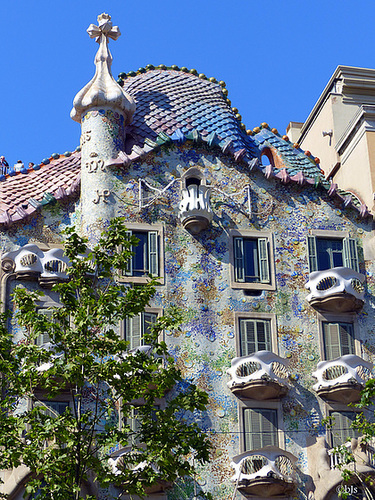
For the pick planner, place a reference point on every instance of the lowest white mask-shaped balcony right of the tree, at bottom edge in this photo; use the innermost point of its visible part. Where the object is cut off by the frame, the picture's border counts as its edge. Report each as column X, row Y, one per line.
column 265, row 473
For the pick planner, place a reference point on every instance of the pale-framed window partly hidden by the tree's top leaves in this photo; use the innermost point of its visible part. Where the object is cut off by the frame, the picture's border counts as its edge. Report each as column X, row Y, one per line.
column 147, row 259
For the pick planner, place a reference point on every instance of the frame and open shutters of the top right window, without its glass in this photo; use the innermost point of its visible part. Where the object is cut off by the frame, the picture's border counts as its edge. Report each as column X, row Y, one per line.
column 347, row 252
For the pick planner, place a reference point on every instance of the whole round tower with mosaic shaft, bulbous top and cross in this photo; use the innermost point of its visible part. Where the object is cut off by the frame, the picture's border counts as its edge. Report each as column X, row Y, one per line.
column 103, row 108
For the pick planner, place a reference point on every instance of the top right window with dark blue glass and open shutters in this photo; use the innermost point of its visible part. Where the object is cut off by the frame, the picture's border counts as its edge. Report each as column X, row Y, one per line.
column 328, row 252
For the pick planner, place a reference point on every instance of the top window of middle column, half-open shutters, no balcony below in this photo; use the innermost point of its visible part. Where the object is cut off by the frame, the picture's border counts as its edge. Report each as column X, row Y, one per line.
column 252, row 260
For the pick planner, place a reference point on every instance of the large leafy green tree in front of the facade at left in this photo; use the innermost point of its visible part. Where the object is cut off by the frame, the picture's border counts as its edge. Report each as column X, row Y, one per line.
column 67, row 450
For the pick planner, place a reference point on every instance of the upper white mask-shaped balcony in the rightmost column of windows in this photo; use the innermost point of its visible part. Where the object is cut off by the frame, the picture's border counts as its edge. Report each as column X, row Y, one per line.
column 337, row 290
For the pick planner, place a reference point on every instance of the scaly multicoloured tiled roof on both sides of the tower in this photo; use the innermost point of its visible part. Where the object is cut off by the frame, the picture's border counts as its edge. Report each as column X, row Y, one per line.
column 173, row 106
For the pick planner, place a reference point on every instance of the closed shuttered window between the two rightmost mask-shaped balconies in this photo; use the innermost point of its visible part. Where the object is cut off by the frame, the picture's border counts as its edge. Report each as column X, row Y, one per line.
column 338, row 339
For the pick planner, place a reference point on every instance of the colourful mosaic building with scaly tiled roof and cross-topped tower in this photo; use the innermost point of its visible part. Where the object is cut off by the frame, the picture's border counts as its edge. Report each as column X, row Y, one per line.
column 272, row 264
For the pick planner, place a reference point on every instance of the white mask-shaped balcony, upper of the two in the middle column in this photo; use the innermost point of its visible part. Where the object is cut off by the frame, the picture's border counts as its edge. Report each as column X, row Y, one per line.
column 262, row 375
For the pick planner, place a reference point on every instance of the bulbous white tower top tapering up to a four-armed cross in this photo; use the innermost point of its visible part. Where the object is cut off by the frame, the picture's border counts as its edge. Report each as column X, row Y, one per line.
column 103, row 90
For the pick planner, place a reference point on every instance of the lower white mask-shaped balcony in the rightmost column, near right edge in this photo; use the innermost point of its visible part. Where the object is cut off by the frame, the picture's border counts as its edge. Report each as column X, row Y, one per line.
column 342, row 379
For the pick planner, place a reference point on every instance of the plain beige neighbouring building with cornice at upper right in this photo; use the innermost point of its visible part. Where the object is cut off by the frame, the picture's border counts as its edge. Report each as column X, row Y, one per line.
column 340, row 130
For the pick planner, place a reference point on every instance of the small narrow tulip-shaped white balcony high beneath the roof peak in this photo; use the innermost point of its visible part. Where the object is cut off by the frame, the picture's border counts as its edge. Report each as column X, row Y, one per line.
column 195, row 211
